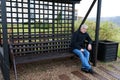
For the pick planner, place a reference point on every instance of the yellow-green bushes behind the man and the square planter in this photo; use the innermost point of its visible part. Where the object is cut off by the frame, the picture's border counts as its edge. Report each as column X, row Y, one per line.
column 108, row 30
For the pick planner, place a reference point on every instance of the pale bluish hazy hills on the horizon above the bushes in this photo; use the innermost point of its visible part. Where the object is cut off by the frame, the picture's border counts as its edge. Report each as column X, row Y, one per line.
column 115, row 20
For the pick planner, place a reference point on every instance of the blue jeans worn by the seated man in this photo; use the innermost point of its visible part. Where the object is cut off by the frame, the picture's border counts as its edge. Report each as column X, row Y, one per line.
column 84, row 57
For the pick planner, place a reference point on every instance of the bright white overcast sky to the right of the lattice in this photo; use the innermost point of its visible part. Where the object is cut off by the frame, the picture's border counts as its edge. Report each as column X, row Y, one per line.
column 109, row 8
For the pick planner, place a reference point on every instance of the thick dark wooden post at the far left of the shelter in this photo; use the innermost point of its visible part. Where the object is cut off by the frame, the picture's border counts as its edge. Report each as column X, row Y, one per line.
column 5, row 63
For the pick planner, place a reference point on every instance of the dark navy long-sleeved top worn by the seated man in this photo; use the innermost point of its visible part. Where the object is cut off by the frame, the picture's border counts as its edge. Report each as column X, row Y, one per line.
column 79, row 39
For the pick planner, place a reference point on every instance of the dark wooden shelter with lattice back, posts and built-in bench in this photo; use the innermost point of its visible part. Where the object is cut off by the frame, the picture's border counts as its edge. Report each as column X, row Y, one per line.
column 33, row 30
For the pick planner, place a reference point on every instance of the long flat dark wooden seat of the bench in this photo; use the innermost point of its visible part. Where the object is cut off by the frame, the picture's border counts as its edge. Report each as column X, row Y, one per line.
column 33, row 58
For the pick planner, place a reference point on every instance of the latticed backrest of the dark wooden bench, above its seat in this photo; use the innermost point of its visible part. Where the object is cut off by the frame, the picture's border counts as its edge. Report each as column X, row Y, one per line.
column 39, row 44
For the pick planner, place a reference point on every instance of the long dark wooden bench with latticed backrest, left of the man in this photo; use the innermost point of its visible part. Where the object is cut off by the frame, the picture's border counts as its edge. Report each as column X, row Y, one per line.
column 32, row 48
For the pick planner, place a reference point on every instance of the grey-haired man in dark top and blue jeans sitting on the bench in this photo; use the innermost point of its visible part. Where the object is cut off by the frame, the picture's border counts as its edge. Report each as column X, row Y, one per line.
column 78, row 47
